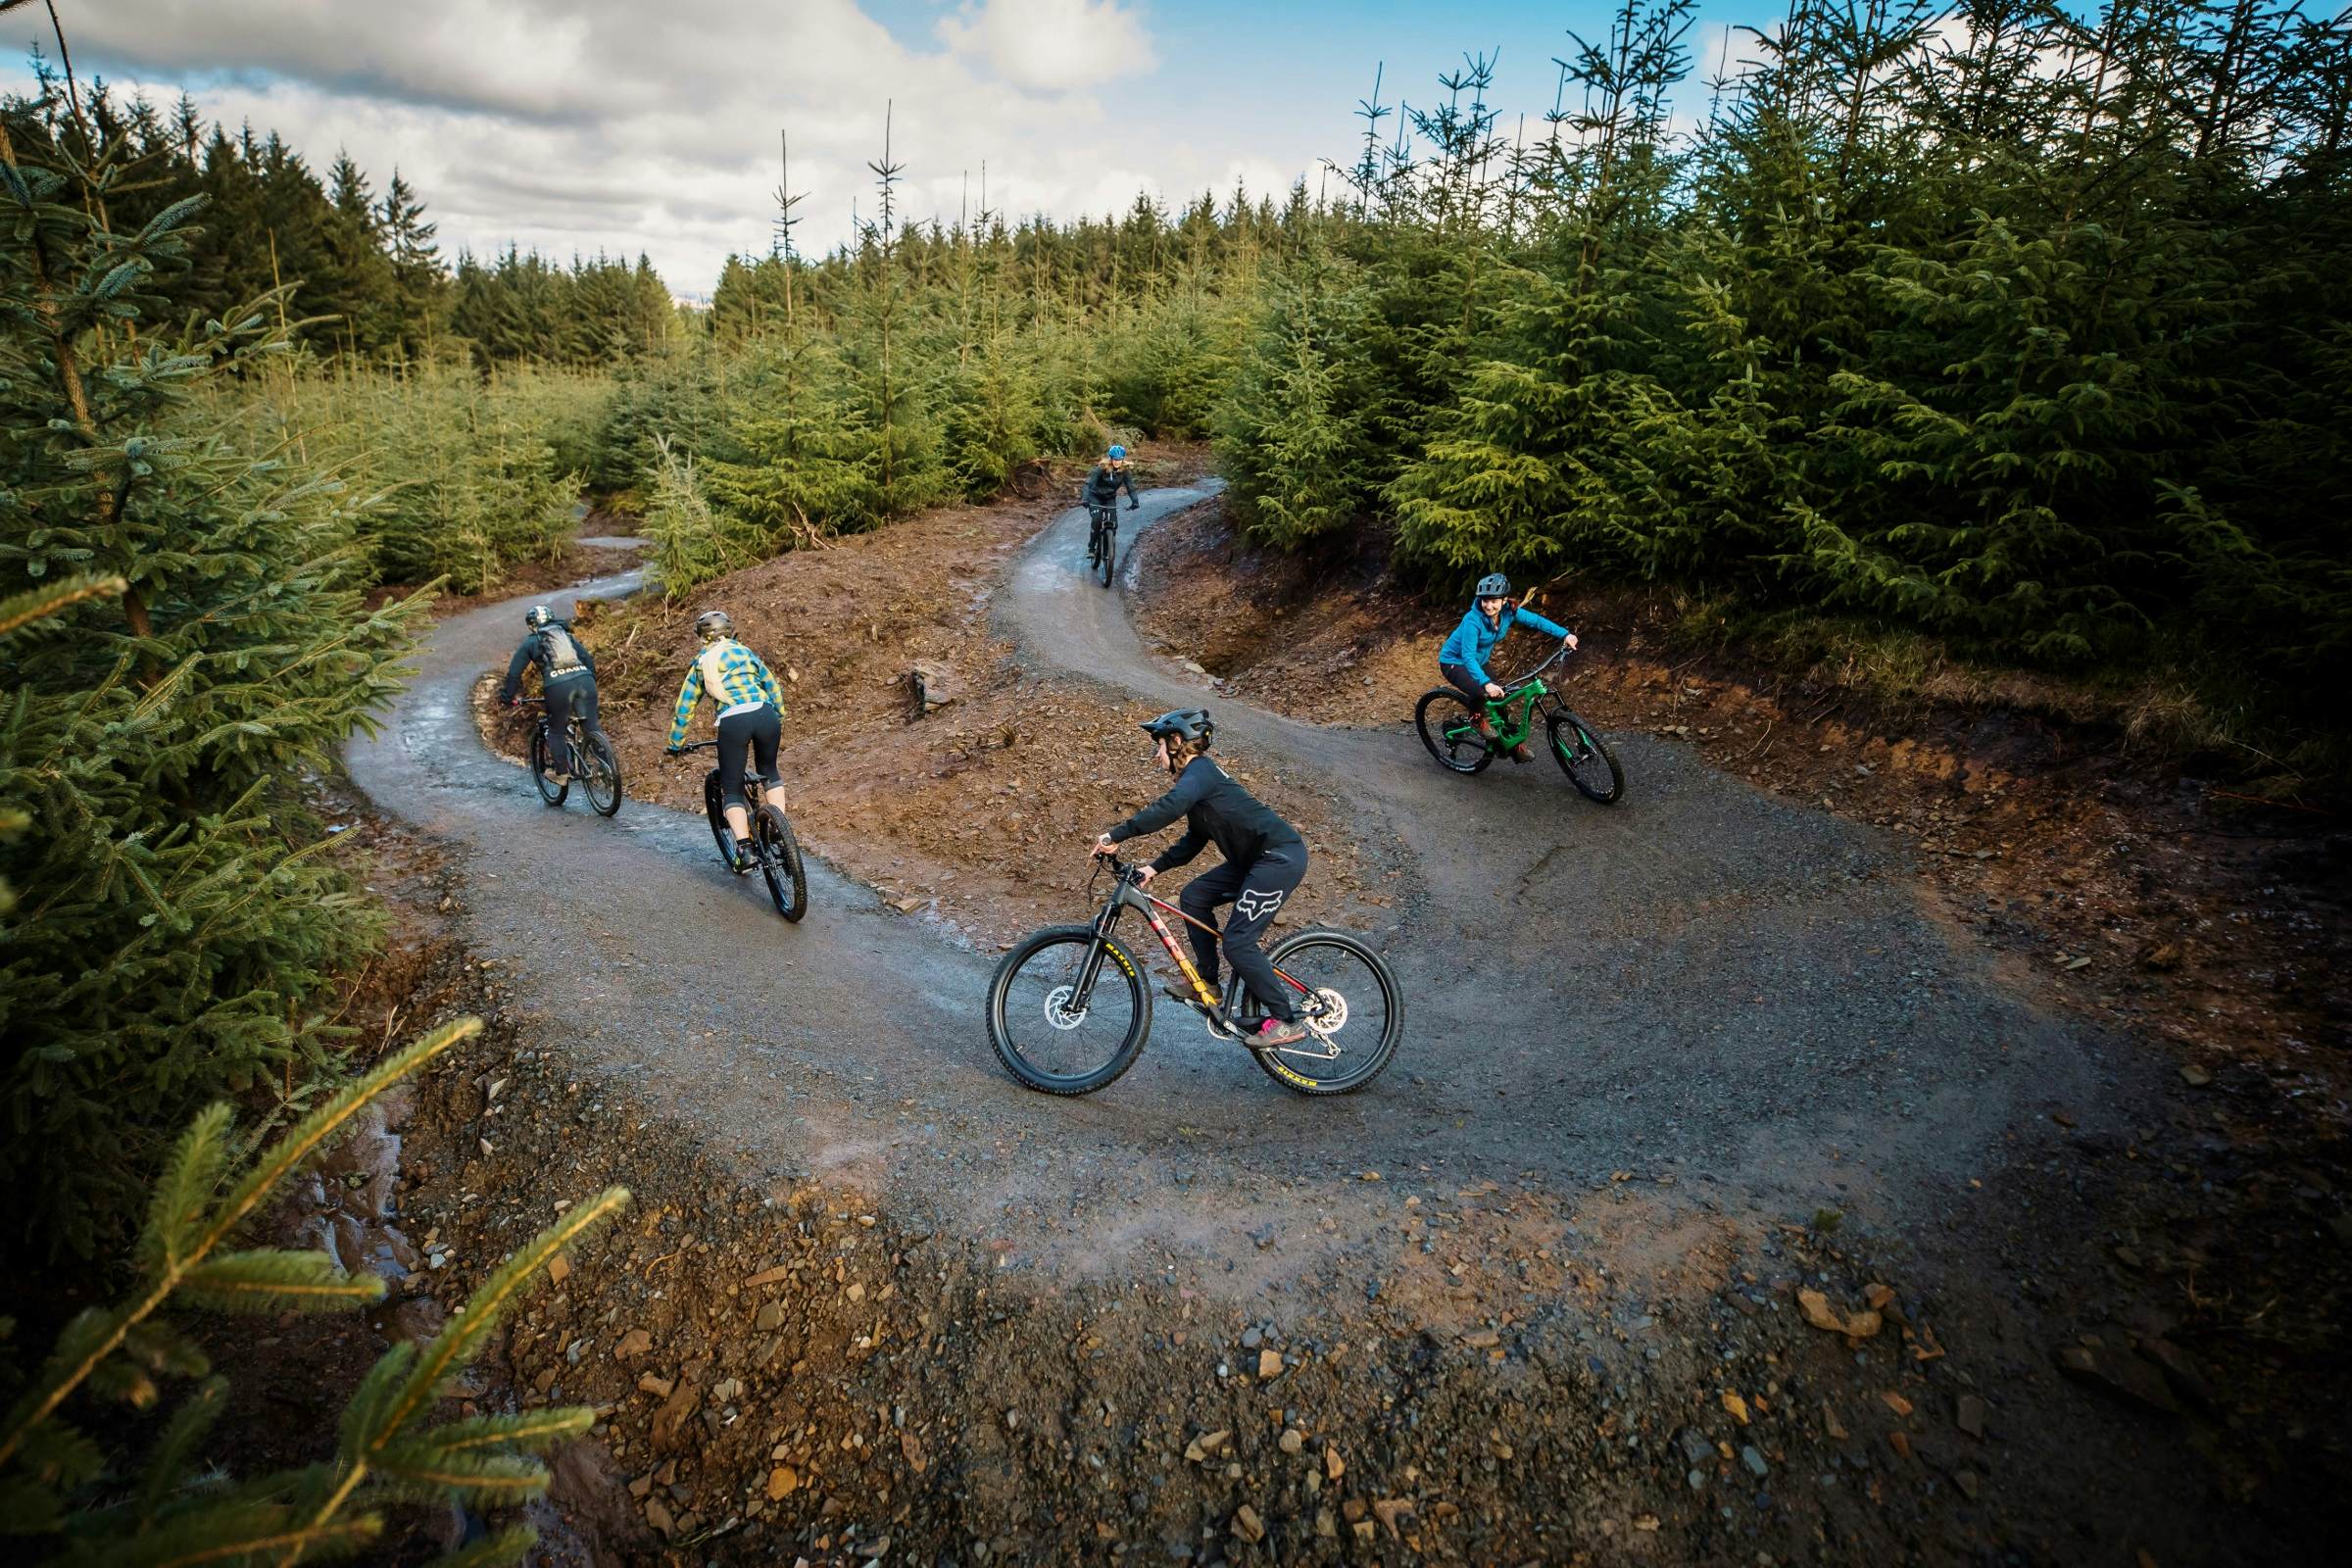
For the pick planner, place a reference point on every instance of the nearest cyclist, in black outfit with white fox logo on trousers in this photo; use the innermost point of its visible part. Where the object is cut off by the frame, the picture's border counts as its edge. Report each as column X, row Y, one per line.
column 1264, row 864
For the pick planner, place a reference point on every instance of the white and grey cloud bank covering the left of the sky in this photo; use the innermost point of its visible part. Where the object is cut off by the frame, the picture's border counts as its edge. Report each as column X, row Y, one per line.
column 580, row 126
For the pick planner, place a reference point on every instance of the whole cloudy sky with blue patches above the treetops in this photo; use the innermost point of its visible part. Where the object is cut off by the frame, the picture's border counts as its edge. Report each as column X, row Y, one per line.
column 594, row 126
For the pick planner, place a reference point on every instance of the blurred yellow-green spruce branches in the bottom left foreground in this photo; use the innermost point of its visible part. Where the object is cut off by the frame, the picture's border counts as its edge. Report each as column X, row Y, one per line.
column 55, row 1480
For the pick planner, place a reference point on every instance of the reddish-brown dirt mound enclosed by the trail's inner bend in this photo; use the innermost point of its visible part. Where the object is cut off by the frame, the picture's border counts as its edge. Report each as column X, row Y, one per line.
column 980, row 810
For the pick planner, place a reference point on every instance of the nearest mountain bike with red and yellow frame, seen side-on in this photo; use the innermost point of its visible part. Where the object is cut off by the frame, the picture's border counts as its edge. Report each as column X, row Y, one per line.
column 1069, row 1010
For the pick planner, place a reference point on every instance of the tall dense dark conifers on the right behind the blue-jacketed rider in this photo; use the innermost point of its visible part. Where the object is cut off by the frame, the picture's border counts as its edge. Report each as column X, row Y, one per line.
column 2003, row 326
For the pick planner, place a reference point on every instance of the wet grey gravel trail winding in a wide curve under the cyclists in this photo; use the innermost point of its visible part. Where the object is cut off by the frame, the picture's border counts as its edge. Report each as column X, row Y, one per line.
column 1699, row 981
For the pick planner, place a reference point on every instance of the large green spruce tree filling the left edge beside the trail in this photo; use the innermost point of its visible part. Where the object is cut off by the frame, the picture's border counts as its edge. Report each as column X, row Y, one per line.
column 178, row 925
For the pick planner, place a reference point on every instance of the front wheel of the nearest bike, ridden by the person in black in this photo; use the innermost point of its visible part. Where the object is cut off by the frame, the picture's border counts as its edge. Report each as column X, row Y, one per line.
column 1069, row 1012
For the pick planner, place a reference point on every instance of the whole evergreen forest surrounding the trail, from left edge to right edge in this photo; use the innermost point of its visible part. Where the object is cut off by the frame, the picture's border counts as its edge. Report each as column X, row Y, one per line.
column 2010, row 326
